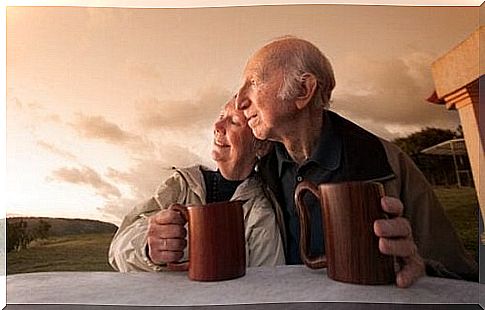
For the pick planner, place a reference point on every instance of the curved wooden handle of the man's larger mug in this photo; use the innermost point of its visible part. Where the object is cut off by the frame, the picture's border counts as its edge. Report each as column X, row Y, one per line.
column 305, row 230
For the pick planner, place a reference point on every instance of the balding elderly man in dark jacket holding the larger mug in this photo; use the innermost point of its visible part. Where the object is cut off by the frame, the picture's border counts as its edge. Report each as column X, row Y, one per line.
column 285, row 94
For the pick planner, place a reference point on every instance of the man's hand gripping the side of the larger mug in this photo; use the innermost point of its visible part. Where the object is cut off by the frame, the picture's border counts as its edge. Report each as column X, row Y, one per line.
column 395, row 238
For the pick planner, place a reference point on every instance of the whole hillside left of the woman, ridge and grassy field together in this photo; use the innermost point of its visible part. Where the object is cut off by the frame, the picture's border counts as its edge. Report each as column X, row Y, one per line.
column 72, row 244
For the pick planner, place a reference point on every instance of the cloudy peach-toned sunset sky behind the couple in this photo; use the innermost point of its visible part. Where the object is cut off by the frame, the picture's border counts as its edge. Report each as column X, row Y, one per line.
column 102, row 102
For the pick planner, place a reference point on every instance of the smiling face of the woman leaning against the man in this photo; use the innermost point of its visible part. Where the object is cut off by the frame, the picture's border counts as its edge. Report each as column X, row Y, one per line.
column 233, row 148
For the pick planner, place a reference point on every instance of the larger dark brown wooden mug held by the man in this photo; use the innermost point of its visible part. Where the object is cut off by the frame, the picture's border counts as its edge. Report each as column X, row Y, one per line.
column 348, row 210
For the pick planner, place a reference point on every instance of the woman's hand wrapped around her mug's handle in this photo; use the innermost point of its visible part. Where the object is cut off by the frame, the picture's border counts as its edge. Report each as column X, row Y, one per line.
column 166, row 236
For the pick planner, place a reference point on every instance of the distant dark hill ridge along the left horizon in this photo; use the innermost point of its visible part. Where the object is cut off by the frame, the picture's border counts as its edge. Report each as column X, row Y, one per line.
column 63, row 226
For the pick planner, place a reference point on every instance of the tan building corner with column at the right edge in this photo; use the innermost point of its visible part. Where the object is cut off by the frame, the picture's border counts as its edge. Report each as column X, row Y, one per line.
column 457, row 76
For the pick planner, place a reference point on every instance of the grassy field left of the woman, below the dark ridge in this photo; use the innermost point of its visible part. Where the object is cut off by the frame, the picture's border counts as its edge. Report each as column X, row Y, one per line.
column 85, row 252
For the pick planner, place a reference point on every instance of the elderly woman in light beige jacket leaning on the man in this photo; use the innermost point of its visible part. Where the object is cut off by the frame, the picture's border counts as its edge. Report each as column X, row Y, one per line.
column 152, row 234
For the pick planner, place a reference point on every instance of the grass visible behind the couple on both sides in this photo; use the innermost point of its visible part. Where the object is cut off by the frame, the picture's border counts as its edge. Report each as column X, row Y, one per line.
column 88, row 252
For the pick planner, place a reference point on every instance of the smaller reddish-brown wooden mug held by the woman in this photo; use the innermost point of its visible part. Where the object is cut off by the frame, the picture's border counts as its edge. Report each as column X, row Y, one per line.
column 217, row 247
